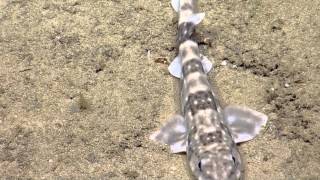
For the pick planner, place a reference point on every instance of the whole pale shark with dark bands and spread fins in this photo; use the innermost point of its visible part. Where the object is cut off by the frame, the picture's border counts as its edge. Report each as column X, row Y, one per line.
column 206, row 131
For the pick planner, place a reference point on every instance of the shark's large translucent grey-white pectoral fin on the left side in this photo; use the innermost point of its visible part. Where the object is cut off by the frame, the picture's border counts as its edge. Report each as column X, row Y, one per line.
column 173, row 133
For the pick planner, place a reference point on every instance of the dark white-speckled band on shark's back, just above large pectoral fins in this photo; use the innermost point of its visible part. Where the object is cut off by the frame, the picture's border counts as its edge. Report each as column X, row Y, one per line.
column 203, row 102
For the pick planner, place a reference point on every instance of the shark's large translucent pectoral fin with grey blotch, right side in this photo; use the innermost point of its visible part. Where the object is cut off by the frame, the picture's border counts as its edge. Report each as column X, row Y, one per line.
column 244, row 123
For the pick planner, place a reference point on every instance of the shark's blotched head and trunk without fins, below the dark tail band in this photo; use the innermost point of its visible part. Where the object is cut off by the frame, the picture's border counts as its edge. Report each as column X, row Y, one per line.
column 211, row 151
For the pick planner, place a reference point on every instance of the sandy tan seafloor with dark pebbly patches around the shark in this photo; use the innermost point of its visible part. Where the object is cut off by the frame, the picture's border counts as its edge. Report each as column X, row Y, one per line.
column 80, row 94
